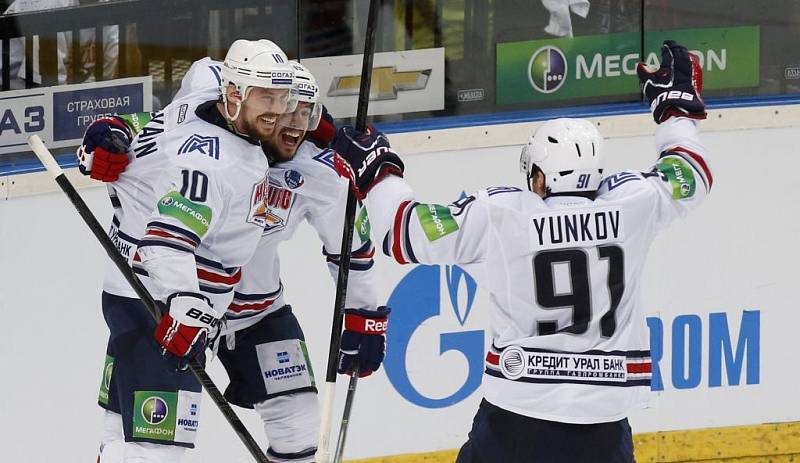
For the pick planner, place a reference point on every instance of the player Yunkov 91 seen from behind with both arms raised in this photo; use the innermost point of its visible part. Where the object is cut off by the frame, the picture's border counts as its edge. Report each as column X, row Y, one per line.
column 562, row 264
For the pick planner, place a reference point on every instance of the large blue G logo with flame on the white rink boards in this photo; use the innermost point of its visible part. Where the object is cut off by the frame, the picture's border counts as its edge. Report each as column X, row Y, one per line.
column 417, row 301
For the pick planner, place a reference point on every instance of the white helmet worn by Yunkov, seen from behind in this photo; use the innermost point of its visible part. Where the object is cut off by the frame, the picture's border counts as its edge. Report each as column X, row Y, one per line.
column 569, row 153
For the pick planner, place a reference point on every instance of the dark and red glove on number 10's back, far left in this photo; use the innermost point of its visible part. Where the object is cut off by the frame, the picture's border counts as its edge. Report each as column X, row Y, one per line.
column 103, row 154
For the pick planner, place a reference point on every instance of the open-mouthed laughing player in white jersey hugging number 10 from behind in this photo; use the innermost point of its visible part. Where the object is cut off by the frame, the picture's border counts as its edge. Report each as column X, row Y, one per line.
column 262, row 346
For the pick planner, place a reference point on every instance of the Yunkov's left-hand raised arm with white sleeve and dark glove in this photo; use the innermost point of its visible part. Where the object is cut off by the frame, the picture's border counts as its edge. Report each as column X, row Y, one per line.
column 407, row 230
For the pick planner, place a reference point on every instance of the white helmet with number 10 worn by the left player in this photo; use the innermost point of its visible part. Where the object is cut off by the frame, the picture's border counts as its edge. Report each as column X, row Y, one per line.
column 256, row 63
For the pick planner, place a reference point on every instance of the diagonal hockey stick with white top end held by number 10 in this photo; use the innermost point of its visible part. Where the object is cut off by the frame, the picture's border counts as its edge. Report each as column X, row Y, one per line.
column 199, row 372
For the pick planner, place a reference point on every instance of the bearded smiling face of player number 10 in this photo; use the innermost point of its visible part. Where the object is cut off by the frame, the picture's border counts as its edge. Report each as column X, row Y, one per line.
column 260, row 111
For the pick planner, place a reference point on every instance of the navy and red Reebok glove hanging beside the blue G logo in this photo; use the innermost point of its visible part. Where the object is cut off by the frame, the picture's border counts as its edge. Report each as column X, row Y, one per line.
column 363, row 340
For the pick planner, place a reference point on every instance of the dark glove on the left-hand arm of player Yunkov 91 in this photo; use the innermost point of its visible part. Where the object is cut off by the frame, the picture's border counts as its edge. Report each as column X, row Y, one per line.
column 364, row 158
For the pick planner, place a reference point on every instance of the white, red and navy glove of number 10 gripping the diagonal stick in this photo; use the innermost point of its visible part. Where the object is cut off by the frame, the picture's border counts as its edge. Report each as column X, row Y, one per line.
column 185, row 329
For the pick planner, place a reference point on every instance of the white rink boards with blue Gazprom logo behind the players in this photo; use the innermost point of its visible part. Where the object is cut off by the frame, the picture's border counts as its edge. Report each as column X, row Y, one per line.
column 719, row 294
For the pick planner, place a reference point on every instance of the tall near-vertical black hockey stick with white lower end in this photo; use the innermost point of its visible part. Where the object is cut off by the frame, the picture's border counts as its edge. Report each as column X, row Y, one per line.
column 323, row 450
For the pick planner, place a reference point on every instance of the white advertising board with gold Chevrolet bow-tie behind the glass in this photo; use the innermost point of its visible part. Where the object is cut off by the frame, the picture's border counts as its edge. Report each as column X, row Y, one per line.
column 402, row 82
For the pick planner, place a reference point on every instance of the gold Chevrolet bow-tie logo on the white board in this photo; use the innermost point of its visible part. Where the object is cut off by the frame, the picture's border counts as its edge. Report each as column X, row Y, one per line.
column 386, row 83
